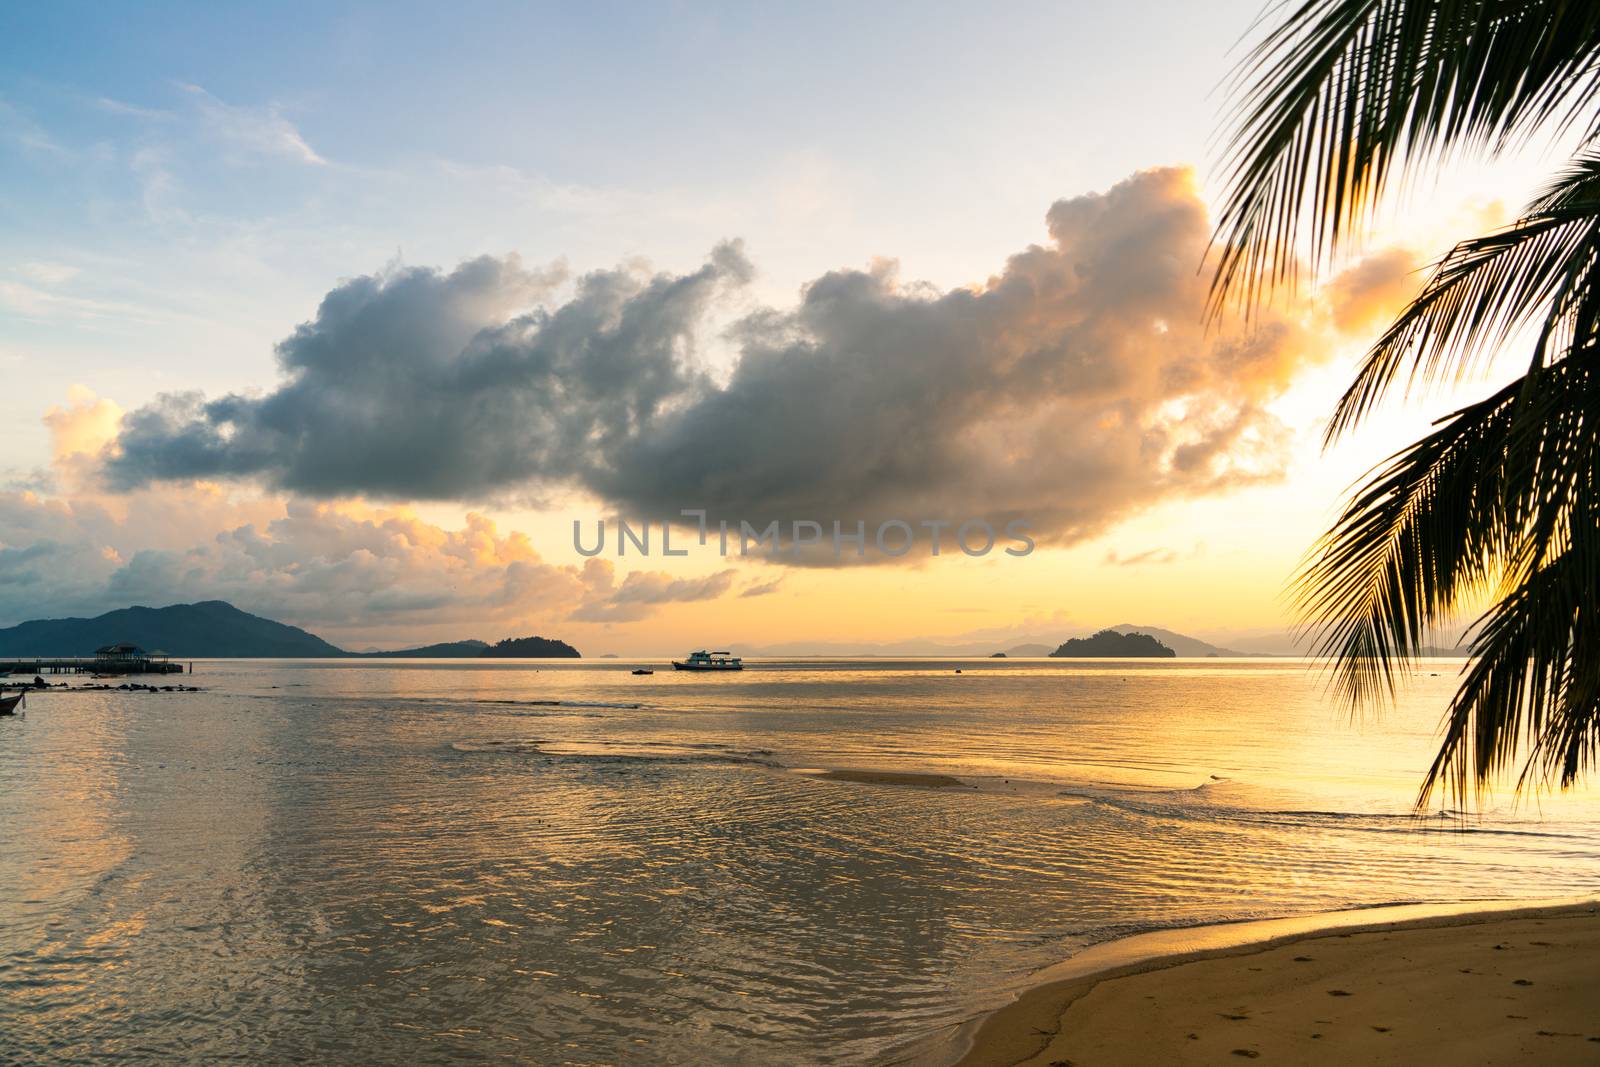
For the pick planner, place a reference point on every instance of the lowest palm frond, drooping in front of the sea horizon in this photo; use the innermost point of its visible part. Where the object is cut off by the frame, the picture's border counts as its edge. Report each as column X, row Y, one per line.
column 1502, row 498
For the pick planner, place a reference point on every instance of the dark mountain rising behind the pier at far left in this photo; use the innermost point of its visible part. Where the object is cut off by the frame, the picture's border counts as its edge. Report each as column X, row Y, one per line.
column 207, row 629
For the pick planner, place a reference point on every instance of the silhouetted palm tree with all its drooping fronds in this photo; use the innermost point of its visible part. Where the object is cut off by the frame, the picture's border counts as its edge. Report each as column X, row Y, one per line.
column 1502, row 502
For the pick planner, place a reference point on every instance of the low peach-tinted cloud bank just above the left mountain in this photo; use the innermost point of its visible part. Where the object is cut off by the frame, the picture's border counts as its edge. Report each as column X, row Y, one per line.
column 337, row 569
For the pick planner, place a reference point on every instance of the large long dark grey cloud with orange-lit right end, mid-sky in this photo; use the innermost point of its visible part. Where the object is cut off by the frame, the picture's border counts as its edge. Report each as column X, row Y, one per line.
column 1073, row 390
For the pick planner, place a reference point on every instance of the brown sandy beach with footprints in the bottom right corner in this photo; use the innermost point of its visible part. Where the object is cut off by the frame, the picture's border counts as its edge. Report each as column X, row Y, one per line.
column 1481, row 989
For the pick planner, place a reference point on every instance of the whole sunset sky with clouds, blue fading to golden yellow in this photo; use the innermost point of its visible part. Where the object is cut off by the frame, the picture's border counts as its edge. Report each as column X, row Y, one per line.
column 350, row 313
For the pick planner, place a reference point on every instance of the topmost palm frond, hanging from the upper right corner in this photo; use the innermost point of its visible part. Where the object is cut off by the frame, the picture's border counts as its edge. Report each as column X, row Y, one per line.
column 1342, row 94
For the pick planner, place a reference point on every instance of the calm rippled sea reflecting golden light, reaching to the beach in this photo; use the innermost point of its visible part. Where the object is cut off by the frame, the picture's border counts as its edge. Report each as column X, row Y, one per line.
column 532, row 863
